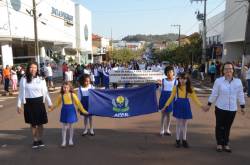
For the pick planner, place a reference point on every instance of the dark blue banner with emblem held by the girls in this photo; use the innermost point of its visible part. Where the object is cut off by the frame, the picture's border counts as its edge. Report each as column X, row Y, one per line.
column 123, row 103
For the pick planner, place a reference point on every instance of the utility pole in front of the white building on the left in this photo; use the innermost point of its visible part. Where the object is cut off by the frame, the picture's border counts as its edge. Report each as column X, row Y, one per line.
column 35, row 33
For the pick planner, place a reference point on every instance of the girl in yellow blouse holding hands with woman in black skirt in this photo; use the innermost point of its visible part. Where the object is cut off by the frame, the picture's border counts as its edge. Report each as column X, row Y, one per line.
column 68, row 112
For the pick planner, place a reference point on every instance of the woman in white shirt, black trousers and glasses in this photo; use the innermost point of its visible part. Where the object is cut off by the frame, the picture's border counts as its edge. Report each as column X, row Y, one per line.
column 227, row 90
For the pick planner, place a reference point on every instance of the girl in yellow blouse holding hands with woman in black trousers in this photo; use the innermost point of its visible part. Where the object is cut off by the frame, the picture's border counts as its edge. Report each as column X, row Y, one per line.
column 182, row 110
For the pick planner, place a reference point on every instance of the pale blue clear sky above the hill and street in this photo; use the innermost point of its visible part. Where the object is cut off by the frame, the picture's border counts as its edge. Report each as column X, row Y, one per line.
column 130, row 17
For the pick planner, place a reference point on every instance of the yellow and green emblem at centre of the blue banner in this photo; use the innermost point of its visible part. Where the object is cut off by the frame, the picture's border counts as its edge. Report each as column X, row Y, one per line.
column 120, row 104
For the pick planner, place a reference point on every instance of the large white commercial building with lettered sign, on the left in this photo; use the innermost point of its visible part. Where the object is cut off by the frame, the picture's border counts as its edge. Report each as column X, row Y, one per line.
column 58, row 24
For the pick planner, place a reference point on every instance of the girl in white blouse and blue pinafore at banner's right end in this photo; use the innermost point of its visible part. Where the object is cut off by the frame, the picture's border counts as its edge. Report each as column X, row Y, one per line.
column 167, row 86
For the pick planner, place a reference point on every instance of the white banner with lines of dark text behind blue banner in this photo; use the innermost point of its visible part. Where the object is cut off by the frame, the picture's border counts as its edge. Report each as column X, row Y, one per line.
column 134, row 76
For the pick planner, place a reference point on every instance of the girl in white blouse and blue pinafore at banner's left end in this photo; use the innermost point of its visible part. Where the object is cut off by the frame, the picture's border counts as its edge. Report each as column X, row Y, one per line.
column 83, row 95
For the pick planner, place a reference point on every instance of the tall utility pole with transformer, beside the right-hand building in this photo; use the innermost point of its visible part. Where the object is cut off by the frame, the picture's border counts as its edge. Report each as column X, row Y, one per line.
column 203, row 18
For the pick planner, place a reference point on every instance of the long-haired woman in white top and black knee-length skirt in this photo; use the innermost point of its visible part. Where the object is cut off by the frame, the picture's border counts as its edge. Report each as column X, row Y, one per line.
column 32, row 93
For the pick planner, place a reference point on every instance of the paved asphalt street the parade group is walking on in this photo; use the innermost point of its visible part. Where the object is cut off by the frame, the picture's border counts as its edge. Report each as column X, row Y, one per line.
column 121, row 141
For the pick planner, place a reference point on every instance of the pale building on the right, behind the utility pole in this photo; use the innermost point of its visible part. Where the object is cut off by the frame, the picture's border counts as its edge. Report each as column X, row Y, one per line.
column 229, row 29
